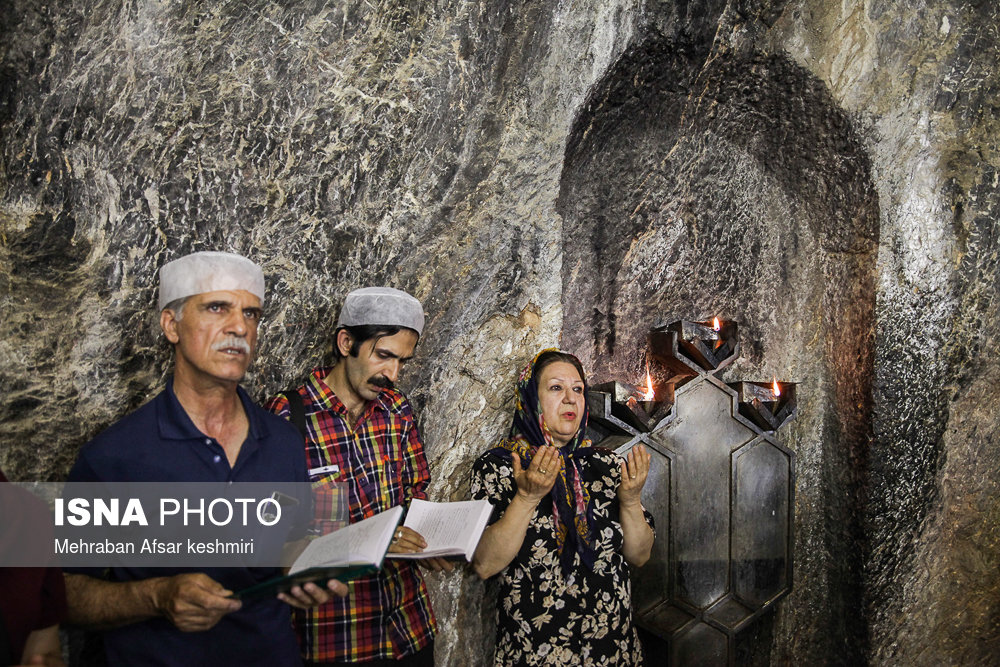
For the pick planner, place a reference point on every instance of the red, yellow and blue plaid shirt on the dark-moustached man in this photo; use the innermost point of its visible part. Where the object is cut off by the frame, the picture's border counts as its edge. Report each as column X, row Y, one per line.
column 387, row 615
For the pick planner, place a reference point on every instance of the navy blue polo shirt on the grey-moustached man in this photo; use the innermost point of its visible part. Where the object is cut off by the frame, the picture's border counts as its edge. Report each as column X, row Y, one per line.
column 159, row 443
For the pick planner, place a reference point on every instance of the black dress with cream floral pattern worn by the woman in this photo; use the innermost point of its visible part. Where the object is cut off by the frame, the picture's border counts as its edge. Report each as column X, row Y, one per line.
column 544, row 615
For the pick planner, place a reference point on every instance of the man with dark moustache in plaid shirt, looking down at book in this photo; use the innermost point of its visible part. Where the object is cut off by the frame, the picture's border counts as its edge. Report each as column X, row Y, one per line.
column 361, row 433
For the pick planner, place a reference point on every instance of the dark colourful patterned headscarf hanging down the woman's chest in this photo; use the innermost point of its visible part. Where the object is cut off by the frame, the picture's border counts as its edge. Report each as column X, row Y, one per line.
column 570, row 498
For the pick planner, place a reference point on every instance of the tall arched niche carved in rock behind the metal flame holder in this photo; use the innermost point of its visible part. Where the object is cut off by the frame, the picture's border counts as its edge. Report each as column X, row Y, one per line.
column 733, row 185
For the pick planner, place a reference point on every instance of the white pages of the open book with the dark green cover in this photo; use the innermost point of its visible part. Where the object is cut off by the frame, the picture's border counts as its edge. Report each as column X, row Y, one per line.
column 364, row 542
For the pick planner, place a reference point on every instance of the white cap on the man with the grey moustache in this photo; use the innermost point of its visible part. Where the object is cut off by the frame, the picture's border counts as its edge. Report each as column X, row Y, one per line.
column 209, row 271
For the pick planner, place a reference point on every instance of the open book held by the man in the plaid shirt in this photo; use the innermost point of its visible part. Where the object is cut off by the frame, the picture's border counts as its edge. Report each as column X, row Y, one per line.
column 450, row 529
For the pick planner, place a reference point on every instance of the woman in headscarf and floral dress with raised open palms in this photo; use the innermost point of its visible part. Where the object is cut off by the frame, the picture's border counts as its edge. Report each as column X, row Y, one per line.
column 567, row 518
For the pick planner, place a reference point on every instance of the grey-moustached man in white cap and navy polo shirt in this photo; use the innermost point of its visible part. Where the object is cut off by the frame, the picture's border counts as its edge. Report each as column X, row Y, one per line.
column 201, row 428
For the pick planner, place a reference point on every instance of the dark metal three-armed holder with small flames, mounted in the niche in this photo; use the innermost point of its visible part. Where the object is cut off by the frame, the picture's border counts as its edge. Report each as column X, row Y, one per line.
column 721, row 488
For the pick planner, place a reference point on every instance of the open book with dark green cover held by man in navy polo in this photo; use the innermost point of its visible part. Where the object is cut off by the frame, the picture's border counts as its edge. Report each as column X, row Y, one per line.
column 353, row 551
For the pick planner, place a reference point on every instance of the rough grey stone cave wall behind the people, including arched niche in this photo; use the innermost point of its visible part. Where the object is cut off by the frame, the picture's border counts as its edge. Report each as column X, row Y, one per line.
column 825, row 173
